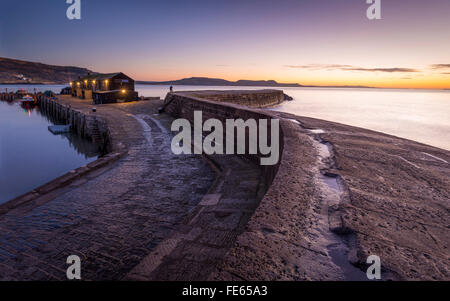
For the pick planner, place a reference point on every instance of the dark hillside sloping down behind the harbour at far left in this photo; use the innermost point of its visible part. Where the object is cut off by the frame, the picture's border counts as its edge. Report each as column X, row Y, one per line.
column 19, row 72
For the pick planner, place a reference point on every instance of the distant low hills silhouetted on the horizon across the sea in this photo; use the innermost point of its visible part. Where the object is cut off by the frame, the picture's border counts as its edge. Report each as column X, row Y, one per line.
column 206, row 81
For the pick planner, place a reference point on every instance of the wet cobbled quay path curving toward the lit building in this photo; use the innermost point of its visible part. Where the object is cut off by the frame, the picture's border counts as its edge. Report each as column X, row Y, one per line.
column 111, row 220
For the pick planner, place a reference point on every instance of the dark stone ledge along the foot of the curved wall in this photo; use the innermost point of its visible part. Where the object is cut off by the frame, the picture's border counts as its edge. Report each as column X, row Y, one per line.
column 197, row 245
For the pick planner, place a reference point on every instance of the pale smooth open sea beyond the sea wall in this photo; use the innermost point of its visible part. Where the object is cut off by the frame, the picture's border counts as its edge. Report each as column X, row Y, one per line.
column 419, row 115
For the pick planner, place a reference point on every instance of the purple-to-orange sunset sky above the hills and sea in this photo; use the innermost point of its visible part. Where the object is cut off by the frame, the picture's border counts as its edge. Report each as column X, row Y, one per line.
column 312, row 42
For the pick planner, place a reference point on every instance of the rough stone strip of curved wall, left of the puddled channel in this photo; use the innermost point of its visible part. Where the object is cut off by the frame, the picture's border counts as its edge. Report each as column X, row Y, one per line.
column 272, row 244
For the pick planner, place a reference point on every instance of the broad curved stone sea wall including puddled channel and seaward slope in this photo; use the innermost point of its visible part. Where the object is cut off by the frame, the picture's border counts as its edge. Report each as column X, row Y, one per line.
column 324, row 211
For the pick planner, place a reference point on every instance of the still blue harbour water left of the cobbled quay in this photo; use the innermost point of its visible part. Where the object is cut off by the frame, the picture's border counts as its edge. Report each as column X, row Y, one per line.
column 30, row 155
